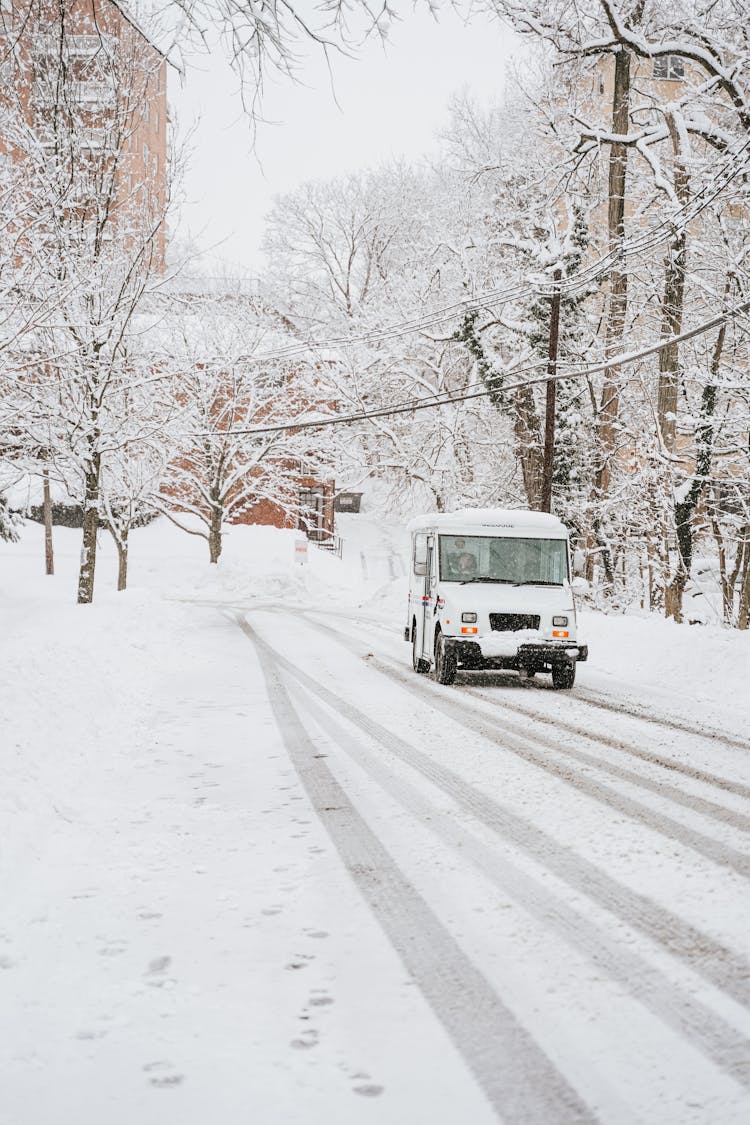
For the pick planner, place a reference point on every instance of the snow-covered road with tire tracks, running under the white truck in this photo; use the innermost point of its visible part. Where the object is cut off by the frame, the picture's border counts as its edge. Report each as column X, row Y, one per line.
column 552, row 871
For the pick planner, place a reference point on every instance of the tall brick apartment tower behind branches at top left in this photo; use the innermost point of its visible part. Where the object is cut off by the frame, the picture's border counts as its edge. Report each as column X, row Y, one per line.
column 87, row 68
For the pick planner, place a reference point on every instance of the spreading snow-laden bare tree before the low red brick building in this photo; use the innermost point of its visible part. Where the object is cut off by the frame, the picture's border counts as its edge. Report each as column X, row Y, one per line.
column 220, row 473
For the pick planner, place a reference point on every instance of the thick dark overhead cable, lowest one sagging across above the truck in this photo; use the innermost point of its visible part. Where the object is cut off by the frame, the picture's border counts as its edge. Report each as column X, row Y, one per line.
column 447, row 399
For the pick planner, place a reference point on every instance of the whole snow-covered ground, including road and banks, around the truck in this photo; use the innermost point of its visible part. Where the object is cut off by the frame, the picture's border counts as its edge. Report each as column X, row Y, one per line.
column 252, row 869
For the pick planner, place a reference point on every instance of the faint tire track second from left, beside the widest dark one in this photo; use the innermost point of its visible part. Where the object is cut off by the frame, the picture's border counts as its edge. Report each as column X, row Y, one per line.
column 724, row 1045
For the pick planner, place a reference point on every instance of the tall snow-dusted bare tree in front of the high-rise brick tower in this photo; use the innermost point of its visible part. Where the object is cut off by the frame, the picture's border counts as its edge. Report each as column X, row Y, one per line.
column 77, row 125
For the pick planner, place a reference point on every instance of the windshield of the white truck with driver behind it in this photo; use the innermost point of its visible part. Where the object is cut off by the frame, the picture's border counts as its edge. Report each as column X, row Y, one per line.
column 492, row 559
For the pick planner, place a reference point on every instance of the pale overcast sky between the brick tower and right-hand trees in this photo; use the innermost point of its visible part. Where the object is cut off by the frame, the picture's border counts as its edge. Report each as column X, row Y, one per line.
column 390, row 104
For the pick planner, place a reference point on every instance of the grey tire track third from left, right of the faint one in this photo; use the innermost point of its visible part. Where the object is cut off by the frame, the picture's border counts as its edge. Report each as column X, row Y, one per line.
column 721, row 967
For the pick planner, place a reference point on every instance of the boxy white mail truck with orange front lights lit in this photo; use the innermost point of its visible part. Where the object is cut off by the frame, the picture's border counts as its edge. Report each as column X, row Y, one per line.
column 493, row 589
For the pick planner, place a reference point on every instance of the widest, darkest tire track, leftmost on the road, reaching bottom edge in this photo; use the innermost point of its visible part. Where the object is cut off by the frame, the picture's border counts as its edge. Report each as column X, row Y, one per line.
column 518, row 1078
